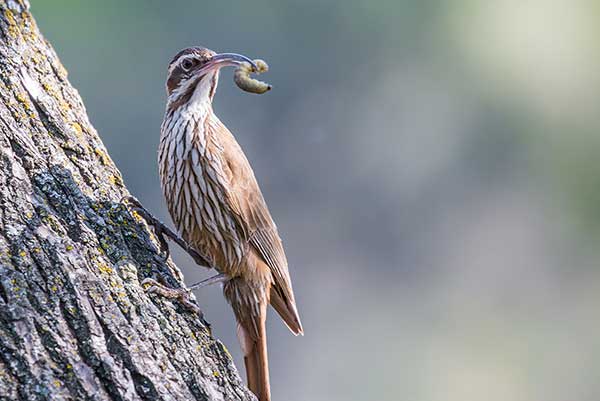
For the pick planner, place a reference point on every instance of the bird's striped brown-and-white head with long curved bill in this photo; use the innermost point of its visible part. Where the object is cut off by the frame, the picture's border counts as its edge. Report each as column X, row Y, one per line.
column 194, row 73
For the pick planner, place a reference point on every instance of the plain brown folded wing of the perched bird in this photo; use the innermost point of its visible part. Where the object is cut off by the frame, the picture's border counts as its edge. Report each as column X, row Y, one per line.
column 249, row 207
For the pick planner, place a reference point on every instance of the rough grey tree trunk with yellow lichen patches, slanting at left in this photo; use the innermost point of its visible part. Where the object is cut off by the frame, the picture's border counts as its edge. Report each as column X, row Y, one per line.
column 74, row 321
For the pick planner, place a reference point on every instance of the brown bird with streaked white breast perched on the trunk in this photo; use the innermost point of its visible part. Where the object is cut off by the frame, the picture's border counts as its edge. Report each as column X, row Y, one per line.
column 218, row 208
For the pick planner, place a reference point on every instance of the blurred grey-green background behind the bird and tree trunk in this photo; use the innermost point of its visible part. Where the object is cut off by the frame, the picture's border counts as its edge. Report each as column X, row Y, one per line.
column 432, row 166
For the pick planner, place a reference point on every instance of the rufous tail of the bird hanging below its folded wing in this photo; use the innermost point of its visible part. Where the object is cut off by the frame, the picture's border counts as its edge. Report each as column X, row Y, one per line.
column 254, row 348
